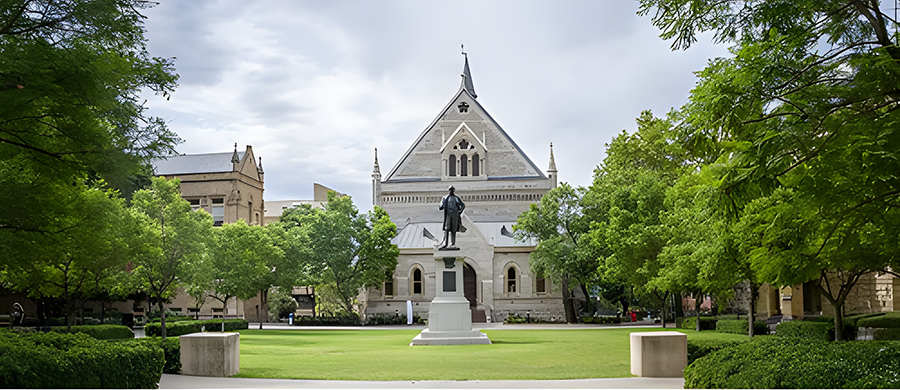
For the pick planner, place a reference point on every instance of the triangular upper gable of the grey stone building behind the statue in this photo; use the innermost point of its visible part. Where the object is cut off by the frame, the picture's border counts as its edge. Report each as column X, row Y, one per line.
column 463, row 118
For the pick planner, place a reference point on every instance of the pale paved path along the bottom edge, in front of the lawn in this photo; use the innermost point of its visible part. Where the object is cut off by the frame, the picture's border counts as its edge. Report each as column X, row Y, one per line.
column 197, row 382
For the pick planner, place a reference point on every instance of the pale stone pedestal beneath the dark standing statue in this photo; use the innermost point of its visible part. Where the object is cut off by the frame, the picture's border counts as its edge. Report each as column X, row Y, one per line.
column 449, row 318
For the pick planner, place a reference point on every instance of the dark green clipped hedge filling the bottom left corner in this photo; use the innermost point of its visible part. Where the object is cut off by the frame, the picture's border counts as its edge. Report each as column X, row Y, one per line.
column 58, row 360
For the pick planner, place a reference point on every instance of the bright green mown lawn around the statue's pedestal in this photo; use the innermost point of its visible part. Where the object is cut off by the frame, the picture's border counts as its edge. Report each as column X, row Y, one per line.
column 386, row 355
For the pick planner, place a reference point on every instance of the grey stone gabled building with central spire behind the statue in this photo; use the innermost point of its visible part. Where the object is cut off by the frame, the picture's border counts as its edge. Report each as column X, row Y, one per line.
column 466, row 148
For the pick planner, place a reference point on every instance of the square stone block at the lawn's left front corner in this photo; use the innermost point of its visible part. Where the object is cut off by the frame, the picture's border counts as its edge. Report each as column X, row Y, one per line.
column 210, row 354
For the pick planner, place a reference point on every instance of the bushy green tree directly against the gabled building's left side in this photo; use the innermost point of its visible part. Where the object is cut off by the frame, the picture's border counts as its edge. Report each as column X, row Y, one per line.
column 345, row 250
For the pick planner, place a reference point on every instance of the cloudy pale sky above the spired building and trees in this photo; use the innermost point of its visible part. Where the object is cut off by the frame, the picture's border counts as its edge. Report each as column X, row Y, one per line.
column 315, row 86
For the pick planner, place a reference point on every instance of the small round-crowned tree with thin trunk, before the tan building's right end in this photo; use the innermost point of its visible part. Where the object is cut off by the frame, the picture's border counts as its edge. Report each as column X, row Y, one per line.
column 239, row 264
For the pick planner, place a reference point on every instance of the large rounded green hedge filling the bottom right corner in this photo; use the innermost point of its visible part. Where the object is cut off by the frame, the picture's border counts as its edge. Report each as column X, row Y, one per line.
column 778, row 362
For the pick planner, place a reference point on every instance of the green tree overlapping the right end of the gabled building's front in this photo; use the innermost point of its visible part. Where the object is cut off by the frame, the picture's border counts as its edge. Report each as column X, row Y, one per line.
column 558, row 224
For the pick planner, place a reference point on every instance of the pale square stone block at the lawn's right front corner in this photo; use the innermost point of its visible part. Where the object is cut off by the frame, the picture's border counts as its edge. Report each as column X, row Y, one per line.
column 658, row 354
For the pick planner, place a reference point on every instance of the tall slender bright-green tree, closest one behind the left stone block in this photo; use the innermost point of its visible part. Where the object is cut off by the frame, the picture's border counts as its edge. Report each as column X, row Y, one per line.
column 173, row 239
